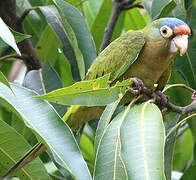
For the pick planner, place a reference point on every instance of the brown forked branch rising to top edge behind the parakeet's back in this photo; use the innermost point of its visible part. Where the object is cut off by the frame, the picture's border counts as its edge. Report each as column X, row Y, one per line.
column 118, row 6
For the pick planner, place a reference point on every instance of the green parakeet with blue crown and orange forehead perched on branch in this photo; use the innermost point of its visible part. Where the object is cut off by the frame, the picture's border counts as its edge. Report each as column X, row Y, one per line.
column 147, row 54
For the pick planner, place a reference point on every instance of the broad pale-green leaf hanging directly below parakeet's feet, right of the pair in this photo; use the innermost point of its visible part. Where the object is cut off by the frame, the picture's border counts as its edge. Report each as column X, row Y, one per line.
column 142, row 139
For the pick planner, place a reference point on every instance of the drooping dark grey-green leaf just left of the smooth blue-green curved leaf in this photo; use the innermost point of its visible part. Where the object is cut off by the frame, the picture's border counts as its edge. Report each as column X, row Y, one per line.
column 54, row 19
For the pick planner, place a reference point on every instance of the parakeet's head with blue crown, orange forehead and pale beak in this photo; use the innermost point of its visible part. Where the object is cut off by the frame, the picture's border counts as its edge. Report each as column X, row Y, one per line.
column 171, row 30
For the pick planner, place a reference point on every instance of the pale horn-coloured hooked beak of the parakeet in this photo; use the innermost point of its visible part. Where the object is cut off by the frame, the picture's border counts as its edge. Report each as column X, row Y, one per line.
column 180, row 43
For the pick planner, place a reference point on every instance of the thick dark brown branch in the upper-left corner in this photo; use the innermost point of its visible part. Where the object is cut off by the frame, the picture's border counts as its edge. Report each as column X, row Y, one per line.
column 11, row 17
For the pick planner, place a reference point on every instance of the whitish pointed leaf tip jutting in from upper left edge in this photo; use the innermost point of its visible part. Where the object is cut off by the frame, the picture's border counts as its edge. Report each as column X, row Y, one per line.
column 7, row 36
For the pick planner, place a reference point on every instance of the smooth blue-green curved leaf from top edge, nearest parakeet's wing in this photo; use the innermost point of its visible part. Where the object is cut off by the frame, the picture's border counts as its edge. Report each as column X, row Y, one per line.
column 81, row 30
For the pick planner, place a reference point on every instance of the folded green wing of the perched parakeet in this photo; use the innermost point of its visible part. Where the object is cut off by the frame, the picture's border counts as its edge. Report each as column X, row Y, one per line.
column 118, row 56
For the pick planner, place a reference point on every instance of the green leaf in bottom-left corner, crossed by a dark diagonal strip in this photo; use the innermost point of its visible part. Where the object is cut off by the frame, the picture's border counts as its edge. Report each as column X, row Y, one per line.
column 11, row 152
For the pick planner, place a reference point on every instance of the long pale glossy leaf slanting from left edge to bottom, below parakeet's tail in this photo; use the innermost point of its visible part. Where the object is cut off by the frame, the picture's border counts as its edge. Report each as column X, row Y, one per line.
column 49, row 127
